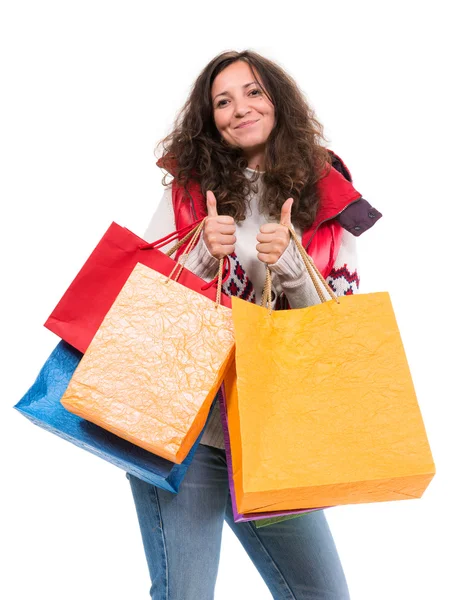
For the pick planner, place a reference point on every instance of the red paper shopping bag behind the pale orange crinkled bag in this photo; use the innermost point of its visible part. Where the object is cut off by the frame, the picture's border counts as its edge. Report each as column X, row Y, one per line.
column 82, row 308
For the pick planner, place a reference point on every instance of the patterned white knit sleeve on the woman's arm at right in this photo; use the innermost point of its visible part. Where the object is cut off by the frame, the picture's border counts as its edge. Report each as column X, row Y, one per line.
column 297, row 285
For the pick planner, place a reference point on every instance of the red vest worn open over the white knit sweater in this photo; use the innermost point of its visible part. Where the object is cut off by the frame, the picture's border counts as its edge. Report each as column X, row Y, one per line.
column 321, row 240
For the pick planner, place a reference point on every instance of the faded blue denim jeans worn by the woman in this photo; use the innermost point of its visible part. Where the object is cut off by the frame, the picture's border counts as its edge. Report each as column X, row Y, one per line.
column 182, row 534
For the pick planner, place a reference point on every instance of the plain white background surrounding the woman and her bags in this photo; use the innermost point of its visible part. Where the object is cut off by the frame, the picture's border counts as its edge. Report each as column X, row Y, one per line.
column 88, row 88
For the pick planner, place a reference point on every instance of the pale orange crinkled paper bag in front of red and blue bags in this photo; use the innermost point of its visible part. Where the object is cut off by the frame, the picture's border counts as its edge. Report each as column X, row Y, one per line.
column 155, row 364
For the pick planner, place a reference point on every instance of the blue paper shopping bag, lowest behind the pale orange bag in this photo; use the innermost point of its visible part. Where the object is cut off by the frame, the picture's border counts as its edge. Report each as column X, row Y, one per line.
column 41, row 405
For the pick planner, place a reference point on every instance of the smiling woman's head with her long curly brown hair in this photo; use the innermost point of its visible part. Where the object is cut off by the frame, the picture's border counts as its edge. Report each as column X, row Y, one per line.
column 286, row 141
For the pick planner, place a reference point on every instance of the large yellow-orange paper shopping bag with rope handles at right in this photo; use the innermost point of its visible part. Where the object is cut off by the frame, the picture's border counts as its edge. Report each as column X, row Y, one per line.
column 323, row 410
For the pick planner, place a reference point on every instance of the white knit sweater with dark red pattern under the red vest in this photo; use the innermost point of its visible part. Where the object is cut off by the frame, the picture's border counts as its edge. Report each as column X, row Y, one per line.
column 289, row 273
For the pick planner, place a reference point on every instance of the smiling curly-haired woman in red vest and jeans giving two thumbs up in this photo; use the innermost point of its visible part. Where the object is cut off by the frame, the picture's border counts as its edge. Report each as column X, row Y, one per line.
column 247, row 153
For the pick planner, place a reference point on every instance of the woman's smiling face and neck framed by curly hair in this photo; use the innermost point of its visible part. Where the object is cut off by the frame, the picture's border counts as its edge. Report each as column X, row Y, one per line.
column 243, row 114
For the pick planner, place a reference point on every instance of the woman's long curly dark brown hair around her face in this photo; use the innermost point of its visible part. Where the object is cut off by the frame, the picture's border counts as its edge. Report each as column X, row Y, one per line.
column 294, row 156
